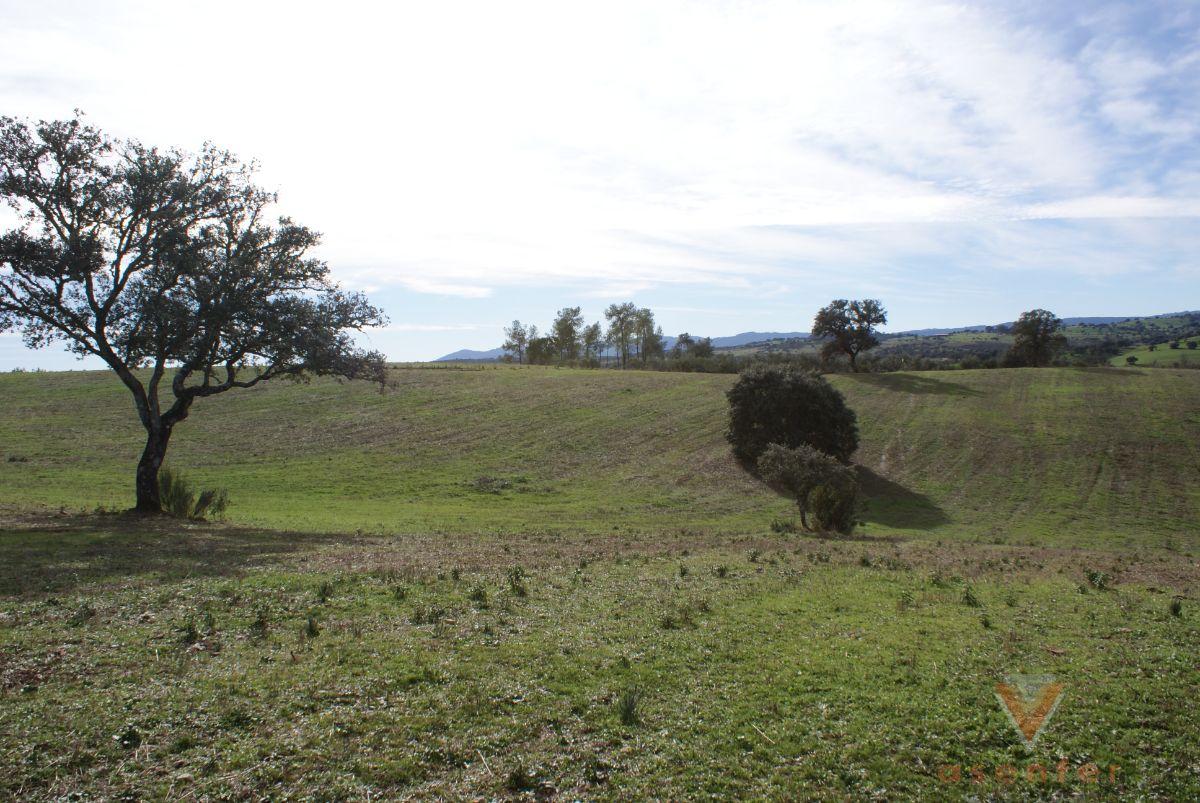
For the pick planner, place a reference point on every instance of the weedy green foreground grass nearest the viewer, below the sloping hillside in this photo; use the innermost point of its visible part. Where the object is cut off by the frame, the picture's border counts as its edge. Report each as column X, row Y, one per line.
column 166, row 662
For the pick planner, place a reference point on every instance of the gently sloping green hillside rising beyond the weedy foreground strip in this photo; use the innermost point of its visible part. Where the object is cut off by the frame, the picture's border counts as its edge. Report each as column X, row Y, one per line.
column 1064, row 456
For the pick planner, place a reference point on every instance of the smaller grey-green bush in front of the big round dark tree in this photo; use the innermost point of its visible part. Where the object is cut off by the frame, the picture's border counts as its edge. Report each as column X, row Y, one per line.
column 811, row 477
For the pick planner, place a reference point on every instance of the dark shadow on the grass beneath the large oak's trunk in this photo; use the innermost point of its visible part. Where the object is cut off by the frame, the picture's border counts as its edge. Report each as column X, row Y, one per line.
column 64, row 553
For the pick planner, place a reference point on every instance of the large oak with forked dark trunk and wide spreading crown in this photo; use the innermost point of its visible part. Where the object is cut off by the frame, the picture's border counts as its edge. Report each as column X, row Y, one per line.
column 166, row 266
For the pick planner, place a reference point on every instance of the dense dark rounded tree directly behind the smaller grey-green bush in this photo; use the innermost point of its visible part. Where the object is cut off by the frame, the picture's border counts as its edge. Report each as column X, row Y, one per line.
column 790, row 408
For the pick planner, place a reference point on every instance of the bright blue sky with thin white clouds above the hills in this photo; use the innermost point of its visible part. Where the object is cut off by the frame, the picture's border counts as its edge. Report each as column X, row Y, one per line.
column 734, row 166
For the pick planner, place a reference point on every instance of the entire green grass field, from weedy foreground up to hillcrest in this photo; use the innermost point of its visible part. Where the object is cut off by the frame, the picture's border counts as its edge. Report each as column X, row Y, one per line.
column 609, row 616
